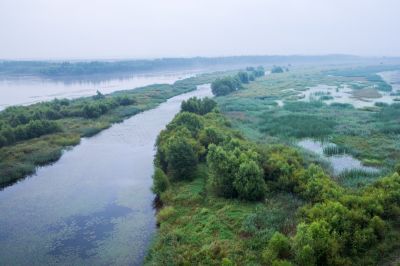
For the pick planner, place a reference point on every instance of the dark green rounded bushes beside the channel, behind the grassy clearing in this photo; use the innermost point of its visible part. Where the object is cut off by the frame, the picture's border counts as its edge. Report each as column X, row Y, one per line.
column 235, row 166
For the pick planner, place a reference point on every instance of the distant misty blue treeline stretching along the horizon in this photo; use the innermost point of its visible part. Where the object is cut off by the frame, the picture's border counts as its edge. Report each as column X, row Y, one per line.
column 81, row 68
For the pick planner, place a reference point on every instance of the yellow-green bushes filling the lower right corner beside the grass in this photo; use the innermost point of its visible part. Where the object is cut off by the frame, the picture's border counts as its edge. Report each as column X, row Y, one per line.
column 338, row 227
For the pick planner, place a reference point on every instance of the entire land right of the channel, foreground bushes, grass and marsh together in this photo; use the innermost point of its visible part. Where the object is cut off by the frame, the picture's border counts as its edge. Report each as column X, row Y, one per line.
column 264, row 201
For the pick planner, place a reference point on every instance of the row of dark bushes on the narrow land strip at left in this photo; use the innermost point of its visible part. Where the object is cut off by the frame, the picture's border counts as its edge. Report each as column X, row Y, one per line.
column 26, row 122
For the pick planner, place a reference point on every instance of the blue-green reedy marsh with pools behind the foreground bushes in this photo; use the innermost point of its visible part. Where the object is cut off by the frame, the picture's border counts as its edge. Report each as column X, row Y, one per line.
column 369, row 134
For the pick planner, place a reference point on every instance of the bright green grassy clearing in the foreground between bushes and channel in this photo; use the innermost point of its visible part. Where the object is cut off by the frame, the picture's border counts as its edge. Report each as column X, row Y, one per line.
column 198, row 228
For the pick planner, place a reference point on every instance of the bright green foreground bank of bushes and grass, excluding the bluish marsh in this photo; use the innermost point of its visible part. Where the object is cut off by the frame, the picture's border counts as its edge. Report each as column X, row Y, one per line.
column 201, row 160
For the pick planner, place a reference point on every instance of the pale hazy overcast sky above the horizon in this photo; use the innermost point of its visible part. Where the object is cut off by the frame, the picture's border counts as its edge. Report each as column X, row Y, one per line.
column 77, row 29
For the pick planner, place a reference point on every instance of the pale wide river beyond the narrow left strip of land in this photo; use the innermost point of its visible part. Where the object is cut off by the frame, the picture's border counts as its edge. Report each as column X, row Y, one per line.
column 29, row 90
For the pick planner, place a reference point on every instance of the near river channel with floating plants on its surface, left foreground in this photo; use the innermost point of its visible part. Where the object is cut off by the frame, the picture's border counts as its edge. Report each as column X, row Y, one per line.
column 93, row 206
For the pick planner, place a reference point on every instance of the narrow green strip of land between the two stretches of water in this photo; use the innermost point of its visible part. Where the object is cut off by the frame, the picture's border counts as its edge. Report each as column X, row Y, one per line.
column 73, row 120
